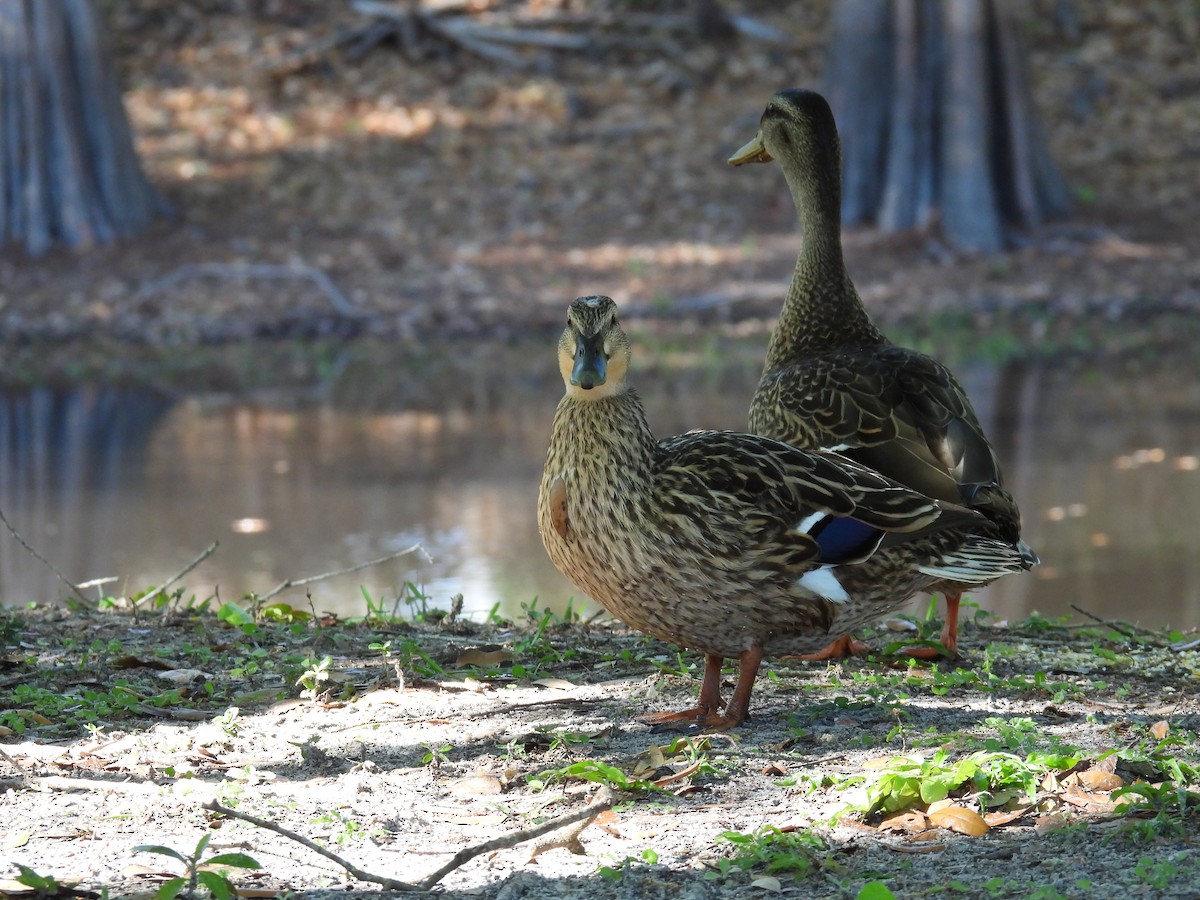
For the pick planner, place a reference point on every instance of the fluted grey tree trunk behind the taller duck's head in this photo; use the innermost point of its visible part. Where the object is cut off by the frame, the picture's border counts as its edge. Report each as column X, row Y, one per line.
column 937, row 116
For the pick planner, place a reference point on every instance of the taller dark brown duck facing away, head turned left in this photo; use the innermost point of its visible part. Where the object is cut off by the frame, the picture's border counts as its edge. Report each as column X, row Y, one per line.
column 833, row 382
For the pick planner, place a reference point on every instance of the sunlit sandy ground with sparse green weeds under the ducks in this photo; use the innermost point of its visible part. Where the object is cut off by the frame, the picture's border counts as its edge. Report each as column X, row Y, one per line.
column 397, row 772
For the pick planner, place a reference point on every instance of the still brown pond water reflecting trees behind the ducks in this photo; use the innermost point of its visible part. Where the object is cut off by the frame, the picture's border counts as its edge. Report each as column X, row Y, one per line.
column 128, row 483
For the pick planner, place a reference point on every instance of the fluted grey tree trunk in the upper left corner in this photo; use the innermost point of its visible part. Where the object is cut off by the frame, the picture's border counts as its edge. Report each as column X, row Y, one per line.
column 69, row 170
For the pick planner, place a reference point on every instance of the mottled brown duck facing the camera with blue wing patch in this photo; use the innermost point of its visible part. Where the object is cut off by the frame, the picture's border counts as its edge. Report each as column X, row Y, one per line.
column 735, row 545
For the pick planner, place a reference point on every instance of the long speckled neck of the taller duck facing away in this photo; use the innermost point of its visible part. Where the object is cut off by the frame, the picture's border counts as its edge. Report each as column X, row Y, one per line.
column 823, row 310
